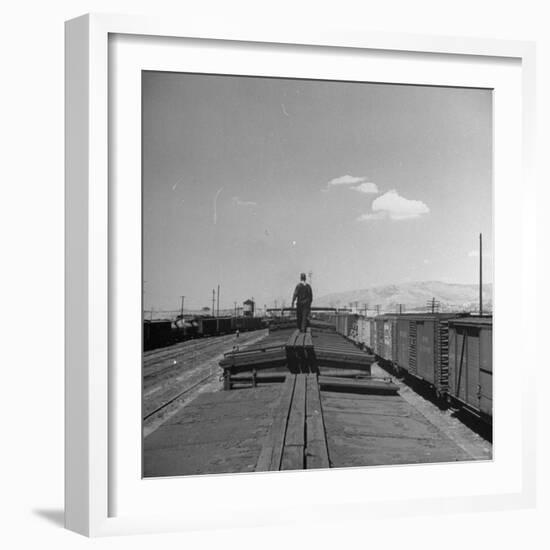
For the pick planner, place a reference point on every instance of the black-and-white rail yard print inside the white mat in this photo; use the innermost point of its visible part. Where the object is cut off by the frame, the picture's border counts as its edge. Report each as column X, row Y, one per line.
column 317, row 274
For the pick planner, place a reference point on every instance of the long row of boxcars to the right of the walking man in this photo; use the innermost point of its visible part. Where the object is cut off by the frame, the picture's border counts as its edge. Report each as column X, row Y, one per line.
column 451, row 353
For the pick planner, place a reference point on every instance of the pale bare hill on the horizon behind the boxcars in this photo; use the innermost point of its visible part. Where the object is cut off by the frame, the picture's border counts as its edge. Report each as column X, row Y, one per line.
column 413, row 296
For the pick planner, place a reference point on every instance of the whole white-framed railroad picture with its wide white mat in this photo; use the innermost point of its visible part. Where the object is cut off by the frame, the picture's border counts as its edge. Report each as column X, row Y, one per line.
column 290, row 264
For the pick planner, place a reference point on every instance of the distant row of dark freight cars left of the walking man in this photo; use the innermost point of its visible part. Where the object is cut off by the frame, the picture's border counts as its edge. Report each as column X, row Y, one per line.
column 164, row 332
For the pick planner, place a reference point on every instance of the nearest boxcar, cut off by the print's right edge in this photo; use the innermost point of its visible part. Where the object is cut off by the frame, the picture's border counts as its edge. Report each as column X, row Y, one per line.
column 471, row 364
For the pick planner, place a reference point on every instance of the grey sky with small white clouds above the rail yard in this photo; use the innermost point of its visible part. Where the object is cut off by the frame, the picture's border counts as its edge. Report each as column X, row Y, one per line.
column 249, row 181
